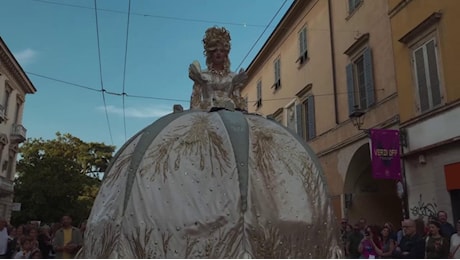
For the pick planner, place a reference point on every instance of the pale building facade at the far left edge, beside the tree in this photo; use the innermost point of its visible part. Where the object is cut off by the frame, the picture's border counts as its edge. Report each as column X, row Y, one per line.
column 14, row 86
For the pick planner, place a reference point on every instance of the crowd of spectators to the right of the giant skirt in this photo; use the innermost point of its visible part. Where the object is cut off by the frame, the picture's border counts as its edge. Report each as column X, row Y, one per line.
column 434, row 238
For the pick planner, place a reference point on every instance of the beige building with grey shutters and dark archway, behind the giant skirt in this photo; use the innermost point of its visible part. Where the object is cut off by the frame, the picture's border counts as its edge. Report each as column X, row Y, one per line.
column 324, row 61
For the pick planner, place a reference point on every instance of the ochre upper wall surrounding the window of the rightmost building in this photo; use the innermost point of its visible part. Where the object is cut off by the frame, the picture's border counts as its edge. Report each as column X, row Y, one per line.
column 406, row 19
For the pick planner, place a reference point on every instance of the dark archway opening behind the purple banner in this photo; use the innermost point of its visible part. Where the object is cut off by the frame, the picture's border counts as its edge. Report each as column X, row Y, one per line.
column 374, row 199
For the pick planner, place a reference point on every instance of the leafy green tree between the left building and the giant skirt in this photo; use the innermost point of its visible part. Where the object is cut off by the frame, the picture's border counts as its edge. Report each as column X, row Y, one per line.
column 58, row 176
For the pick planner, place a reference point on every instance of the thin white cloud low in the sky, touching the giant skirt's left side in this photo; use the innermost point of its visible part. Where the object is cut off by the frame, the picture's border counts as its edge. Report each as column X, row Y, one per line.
column 143, row 112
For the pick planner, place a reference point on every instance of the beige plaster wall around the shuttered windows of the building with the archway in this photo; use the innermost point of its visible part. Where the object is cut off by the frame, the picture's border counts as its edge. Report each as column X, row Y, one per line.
column 337, row 140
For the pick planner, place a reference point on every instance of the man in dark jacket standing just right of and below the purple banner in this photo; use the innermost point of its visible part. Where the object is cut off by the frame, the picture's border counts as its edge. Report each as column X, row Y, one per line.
column 412, row 245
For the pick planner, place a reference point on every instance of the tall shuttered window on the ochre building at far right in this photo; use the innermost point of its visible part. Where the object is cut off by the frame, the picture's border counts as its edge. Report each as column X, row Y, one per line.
column 425, row 62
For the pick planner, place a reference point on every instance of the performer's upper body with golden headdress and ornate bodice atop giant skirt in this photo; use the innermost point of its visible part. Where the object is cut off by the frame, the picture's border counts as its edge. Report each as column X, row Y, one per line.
column 217, row 86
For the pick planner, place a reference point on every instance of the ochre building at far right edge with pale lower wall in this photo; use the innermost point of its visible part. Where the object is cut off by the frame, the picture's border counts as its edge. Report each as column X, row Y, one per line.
column 427, row 60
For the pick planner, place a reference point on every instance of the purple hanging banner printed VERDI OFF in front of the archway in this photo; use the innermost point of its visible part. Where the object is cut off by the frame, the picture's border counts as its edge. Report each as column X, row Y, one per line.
column 385, row 154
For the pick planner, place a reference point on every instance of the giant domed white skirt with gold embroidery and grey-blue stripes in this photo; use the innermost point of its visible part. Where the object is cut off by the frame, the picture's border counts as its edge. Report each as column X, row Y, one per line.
column 221, row 184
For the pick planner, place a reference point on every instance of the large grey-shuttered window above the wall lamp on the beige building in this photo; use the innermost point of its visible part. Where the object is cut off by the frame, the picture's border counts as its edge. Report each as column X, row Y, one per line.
column 360, row 82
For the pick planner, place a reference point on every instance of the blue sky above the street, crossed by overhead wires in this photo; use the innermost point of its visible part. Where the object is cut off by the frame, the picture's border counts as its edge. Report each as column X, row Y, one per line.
column 145, row 54
